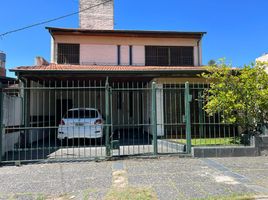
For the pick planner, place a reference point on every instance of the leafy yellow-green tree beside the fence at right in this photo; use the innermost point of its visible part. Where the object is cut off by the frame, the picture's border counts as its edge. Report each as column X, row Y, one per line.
column 240, row 95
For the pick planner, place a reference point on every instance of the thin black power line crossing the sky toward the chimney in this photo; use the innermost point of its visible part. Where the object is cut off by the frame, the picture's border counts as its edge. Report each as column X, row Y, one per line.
column 51, row 20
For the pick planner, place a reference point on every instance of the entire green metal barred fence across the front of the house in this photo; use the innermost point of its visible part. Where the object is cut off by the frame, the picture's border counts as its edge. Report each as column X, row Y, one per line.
column 55, row 120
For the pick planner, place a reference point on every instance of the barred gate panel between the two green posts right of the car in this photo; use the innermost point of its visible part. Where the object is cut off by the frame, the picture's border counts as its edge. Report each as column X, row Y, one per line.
column 130, row 119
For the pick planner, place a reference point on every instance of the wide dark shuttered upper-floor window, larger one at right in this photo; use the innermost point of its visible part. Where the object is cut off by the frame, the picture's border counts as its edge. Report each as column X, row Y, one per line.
column 168, row 56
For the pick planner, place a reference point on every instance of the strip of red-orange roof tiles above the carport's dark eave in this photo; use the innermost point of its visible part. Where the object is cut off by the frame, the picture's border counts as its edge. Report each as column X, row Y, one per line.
column 103, row 68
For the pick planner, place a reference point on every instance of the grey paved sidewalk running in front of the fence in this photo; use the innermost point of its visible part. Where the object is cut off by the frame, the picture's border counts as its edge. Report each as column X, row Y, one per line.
column 168, row 177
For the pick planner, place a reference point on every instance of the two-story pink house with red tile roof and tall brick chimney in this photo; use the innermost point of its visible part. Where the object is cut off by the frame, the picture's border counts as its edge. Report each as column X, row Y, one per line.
column 130, row 60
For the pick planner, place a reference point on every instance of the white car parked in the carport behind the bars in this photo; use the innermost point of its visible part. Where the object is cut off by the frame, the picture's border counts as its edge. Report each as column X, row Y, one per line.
column 81, row 123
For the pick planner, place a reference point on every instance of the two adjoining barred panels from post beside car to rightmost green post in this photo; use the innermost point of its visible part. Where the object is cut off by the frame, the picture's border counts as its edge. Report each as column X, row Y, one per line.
column 141, row 123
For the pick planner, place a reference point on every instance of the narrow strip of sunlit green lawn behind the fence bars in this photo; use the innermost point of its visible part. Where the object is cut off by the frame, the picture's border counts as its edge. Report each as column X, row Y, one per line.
column 209, row 141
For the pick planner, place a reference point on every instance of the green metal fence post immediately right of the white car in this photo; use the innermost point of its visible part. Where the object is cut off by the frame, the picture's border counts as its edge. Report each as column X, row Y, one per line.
column 107, row 124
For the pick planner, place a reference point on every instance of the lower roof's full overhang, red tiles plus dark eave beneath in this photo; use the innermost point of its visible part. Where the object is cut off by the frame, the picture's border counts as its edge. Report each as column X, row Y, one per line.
column 70, row 71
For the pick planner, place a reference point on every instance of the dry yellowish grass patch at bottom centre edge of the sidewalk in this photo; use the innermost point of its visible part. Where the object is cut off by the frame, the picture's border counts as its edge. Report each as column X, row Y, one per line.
column 131, row 193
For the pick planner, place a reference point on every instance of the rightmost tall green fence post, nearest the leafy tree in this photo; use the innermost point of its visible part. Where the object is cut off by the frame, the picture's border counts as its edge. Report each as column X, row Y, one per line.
column 188, row 99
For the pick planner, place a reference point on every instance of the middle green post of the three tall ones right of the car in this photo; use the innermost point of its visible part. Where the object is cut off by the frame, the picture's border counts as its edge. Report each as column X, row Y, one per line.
column 153, row 117
